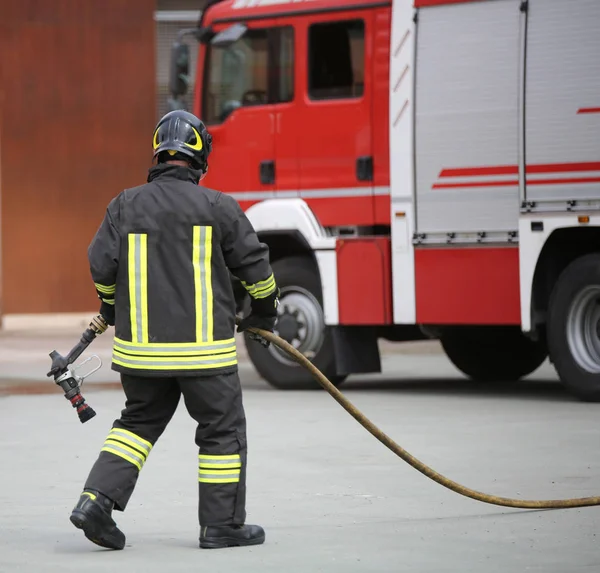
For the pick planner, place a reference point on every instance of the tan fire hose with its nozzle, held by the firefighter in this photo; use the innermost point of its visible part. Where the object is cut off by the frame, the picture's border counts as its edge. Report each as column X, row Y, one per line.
column 64, row 377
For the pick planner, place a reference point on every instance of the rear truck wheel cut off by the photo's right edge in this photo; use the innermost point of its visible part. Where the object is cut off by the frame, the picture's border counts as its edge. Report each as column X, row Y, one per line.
column 574, row 327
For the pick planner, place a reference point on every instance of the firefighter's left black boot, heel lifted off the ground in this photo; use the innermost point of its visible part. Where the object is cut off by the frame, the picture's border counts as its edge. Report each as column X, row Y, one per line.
column 93, row 514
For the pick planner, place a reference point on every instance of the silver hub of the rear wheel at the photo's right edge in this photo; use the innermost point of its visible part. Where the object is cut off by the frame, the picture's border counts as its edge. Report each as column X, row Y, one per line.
column 583, row 329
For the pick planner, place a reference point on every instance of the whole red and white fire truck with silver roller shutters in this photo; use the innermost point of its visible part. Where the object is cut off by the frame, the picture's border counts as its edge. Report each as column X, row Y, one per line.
column 420, row 169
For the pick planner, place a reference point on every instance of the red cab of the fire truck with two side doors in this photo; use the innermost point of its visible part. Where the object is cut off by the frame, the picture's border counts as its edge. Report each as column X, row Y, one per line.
column 298, row 105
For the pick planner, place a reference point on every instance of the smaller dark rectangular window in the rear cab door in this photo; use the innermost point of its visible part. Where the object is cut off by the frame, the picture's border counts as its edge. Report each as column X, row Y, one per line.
column 336, row 60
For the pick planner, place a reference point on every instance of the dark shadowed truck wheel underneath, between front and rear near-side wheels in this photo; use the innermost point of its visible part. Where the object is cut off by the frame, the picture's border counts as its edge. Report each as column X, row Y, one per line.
column 493, row 354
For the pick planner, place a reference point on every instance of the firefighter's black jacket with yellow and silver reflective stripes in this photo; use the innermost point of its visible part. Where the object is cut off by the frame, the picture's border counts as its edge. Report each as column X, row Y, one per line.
column 162, row 256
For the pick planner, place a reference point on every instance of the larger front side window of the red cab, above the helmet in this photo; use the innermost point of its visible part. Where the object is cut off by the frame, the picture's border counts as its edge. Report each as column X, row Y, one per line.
column 238, row 76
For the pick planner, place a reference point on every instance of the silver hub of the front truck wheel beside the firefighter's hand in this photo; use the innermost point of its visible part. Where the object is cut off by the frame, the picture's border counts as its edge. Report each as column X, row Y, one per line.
column 300, row 322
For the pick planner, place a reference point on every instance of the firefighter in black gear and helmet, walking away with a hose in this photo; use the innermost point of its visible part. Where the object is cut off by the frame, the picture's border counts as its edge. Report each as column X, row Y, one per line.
column 161, row 263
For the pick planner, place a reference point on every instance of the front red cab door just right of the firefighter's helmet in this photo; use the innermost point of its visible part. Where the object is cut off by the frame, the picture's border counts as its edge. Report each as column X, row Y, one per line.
column 238, row 100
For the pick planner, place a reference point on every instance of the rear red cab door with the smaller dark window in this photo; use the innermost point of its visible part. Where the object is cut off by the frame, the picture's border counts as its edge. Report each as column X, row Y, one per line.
column 333, row 116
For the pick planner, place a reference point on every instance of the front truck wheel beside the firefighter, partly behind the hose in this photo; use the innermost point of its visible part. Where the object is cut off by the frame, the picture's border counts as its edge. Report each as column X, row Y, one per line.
column 301, row 323
